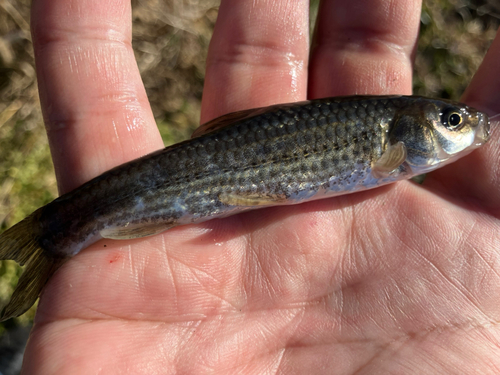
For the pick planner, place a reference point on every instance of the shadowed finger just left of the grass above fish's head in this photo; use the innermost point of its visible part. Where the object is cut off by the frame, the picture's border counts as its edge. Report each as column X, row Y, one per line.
column 364, row 47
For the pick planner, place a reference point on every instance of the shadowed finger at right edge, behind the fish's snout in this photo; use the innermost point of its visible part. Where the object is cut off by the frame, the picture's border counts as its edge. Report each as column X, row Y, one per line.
column 477, row 177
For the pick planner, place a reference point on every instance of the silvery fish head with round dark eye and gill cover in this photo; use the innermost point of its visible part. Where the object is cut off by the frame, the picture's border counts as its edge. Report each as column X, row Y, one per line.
column 437, row 132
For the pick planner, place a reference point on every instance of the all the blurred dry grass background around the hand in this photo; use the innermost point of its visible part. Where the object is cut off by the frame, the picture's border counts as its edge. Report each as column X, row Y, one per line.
column 170, row 39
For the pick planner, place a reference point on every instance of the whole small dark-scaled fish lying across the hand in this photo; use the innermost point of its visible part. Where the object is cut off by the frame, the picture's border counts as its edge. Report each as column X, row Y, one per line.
column 277, row 155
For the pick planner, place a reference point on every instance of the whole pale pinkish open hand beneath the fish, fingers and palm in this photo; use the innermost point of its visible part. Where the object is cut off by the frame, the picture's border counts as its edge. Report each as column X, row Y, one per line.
column 403, row 279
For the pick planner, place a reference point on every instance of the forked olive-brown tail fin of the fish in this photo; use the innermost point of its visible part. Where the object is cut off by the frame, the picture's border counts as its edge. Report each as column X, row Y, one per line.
column 20, row 243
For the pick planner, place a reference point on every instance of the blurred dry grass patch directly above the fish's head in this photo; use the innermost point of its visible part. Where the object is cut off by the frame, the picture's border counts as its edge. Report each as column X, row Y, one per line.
column 454, row 36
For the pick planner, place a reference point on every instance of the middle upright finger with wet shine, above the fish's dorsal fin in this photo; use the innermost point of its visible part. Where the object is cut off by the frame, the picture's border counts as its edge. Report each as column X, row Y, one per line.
column 258, row 56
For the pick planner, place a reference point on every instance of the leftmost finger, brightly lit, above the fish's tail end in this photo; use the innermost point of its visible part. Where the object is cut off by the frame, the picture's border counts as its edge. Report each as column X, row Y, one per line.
column 94, row 103
